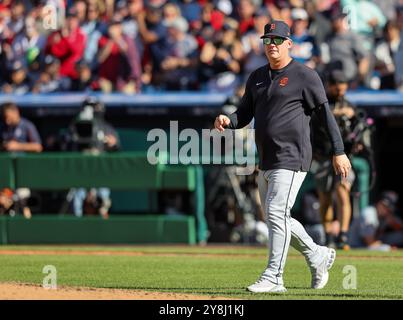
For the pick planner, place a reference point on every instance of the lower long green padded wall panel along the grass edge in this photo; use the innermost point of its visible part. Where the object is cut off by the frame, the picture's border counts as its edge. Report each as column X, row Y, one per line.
column 94, row 230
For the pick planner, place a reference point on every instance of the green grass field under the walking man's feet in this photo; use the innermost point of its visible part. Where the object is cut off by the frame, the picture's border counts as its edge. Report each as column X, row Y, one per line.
column 211, row 270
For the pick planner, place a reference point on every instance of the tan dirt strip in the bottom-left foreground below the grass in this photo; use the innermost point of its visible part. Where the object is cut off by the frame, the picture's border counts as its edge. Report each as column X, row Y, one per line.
column 14, row 291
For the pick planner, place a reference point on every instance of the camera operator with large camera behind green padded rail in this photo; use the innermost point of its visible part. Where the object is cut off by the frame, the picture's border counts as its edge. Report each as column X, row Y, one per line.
column 89, row 132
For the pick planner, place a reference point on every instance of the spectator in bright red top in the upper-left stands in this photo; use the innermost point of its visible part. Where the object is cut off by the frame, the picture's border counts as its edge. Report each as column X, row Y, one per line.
column 67, row 45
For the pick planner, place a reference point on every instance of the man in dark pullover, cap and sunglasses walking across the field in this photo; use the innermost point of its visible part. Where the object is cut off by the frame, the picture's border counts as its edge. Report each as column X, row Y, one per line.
column 281, row 96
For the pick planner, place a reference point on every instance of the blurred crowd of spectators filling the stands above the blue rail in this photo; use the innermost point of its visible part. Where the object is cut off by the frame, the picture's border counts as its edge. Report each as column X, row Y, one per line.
column 134, row 46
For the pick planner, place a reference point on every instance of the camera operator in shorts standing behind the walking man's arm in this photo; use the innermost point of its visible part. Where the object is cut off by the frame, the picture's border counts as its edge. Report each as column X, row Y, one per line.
column 325, row 179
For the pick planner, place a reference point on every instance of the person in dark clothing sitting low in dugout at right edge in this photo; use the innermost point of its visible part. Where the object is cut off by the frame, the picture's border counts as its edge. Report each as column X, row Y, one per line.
column 378, row 227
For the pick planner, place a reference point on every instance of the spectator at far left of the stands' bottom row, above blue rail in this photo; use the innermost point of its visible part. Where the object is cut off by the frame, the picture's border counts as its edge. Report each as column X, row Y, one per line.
column 19, row 82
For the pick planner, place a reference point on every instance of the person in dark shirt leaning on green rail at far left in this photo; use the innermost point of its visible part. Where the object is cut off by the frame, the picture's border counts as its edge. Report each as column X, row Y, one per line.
column 18, row 135
